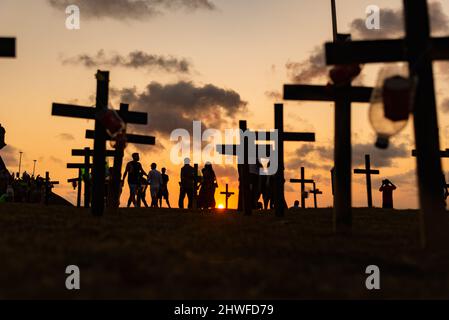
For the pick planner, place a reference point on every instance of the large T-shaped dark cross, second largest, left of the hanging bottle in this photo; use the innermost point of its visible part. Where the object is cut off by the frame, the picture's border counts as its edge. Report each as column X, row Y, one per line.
column 342, row 97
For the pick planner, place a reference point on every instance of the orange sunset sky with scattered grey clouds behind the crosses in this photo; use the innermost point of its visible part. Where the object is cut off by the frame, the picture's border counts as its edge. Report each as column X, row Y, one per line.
column 217, row 61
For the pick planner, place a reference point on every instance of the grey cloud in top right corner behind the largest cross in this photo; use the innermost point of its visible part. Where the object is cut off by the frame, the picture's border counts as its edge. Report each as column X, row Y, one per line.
column 392, row 23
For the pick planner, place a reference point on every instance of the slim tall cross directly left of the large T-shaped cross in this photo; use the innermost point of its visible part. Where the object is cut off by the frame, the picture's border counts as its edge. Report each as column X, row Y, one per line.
column 282, row 138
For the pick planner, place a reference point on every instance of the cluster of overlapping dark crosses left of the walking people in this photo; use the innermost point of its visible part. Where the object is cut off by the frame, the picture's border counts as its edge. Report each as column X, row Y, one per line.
column 94, row 183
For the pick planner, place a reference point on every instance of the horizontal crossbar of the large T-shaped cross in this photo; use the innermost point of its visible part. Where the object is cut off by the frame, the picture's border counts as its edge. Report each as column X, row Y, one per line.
column 326, row 93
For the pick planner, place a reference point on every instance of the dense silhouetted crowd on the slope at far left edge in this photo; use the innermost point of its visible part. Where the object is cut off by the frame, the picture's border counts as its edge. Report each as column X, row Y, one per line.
column 26, row 188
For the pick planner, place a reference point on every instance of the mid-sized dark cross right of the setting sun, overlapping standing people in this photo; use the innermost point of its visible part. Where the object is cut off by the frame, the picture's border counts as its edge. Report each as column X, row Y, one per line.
column 244, row 201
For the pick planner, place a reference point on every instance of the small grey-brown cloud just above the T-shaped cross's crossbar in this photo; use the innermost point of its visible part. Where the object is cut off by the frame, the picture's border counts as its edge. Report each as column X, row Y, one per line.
column 312, row 68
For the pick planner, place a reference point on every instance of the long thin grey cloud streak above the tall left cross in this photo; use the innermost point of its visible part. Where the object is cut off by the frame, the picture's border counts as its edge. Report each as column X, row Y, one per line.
column 134, row 60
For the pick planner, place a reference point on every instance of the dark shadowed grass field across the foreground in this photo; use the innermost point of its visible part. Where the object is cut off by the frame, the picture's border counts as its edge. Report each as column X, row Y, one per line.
column 173, row 254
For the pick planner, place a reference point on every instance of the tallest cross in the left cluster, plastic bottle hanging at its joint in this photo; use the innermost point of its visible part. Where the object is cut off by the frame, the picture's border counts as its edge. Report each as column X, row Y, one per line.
column 100, row 135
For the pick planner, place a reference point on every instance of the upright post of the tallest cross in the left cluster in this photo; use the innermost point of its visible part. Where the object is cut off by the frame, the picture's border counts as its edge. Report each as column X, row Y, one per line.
column 98, row 171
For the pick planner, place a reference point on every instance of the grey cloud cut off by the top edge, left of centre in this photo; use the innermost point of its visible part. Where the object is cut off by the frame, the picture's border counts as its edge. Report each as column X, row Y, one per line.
column 130, row 9
